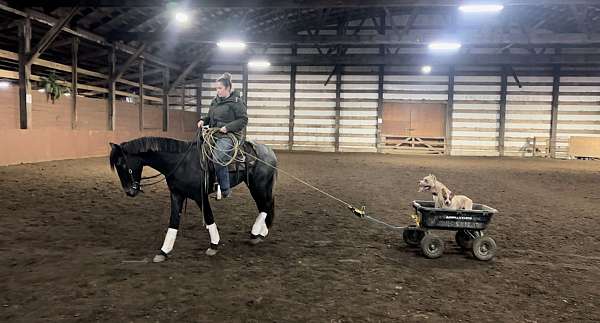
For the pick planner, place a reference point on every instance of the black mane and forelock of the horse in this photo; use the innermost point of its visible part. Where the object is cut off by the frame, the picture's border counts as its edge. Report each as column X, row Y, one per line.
column 150, row 144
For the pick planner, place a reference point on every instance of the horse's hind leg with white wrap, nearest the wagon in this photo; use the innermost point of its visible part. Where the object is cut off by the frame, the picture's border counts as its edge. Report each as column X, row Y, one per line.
column 261, row 187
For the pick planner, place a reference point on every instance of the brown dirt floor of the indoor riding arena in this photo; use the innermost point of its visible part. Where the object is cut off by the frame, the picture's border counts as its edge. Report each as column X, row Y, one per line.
column 75, row 248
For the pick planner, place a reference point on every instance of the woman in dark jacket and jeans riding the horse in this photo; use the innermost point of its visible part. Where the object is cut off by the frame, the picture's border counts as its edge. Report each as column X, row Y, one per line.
column 228, row 113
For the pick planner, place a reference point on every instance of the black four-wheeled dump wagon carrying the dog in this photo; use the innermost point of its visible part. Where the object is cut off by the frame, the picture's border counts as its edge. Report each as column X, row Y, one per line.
column 468, row 224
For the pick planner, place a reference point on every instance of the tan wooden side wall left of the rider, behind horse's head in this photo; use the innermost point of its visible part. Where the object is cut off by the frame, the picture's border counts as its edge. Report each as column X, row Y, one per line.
column 51, row 136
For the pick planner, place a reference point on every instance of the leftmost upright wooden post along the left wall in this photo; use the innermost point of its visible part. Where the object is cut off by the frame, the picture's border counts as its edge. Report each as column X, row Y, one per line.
column 25, row 98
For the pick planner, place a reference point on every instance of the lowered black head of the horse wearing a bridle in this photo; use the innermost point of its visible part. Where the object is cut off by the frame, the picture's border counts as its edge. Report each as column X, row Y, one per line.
column 129, row 168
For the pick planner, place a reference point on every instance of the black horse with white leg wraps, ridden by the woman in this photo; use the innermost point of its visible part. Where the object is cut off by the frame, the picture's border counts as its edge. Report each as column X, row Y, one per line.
column 187, row 177
